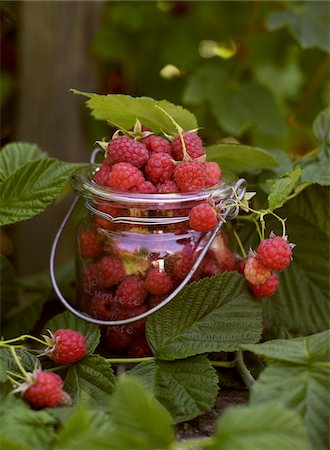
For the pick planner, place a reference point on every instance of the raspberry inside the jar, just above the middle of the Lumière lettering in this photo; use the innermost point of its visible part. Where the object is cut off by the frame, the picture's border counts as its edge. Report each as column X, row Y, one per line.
column 131, row 291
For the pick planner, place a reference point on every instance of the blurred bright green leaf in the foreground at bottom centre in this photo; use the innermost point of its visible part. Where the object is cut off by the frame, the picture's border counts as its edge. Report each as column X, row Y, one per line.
column 139, row 420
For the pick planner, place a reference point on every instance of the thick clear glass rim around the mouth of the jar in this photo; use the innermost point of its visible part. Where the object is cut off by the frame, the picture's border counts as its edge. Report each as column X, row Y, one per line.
column 83, row 184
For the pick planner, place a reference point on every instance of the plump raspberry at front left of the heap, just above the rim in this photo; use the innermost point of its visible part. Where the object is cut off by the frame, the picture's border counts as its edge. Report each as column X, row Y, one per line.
column 124, row 176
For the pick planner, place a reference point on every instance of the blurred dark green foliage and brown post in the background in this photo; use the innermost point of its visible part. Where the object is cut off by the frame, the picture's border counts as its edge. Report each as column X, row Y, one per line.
column 256, row 71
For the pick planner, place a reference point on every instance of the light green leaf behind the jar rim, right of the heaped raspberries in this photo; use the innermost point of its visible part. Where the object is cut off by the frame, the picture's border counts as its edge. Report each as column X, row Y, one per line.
column 240, row 158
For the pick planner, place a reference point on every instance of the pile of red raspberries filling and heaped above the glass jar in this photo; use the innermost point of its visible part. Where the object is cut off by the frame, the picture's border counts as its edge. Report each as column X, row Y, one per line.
column 124, row 275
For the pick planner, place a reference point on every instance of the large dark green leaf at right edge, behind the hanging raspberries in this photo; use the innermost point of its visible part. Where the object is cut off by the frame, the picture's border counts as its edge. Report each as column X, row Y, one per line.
column 301, row 304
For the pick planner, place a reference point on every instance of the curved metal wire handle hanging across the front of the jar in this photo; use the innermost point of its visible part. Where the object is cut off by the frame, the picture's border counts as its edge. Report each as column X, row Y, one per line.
column 231, row 211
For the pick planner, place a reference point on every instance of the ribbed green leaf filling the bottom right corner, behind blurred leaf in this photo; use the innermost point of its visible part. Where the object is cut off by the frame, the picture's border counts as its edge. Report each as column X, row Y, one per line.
column 305, row 389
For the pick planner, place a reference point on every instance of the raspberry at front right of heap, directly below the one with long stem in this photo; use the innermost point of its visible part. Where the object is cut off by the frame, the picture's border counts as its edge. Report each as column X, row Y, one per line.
column 189, row 176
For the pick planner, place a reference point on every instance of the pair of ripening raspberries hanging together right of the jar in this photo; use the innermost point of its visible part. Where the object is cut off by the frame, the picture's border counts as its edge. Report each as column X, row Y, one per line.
column 260, row 267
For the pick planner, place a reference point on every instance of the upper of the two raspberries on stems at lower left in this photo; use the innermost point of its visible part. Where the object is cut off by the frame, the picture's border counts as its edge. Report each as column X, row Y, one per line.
column 69, row 347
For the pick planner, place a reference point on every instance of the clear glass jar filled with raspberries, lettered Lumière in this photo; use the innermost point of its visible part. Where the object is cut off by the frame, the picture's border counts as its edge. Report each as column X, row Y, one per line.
column 133, row 251
